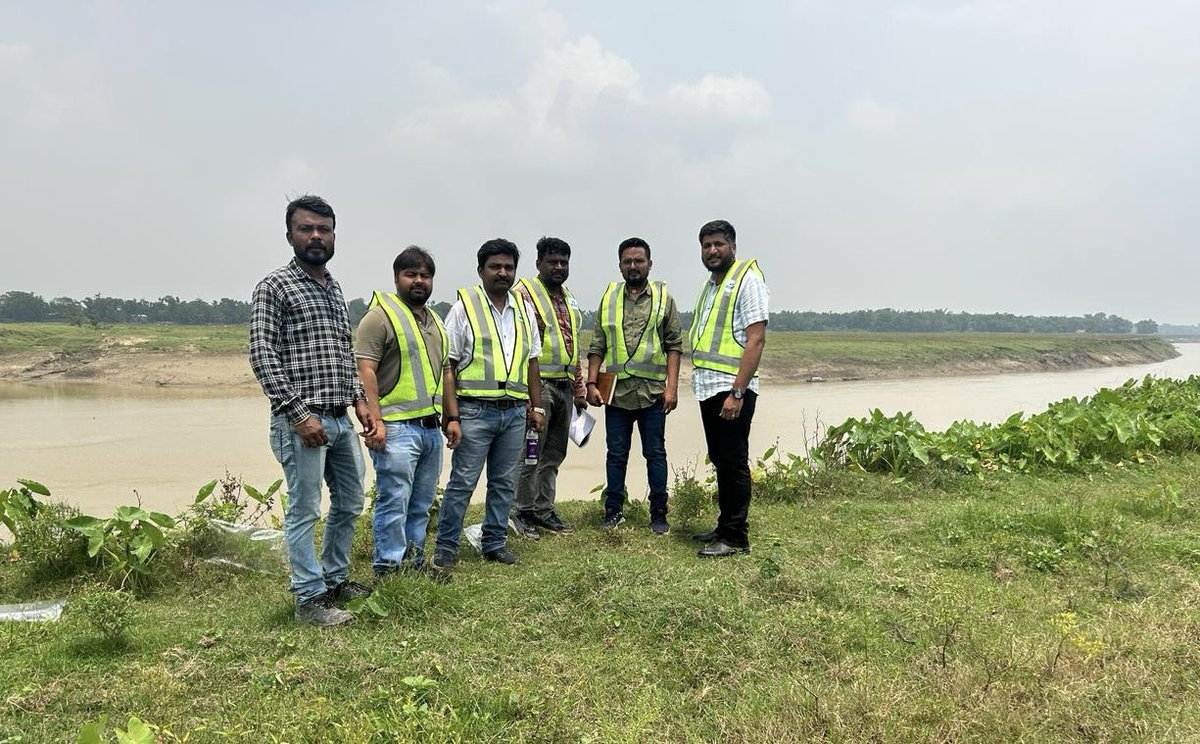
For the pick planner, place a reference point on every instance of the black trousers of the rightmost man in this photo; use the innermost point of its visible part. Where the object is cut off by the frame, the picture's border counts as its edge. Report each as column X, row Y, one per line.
column 729, row 449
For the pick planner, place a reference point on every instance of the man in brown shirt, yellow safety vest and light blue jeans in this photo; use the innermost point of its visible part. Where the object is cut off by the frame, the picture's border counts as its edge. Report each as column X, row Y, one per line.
column 403, row 357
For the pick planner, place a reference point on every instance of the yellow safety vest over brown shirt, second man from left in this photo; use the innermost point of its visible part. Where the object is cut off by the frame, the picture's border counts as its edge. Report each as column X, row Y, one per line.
column 418, row 393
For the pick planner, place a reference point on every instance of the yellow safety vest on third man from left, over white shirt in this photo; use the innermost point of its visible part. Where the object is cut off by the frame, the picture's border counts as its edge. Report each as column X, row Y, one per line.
column 482, row 377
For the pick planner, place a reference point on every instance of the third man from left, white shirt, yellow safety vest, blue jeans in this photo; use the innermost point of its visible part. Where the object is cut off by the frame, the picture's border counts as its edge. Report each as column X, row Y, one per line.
column 493, row 395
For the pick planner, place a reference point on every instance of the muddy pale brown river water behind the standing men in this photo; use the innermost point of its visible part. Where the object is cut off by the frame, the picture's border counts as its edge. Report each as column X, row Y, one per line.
column 99, row 447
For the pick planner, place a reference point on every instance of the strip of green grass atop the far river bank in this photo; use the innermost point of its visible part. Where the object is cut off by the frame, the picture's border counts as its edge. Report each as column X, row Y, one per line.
column 788, row 357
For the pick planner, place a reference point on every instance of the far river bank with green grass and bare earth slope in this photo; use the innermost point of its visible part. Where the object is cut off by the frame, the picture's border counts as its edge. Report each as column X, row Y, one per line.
column 215, row 357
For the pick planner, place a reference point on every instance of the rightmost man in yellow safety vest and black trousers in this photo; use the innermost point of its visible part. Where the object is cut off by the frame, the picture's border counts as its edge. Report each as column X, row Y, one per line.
column 729, row 331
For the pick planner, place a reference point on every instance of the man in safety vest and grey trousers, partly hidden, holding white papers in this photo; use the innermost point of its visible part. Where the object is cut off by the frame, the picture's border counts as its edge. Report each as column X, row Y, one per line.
column 559, row 317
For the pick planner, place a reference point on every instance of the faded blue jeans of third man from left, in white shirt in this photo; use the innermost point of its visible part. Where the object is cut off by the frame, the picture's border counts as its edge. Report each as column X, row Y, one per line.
column 489, row 436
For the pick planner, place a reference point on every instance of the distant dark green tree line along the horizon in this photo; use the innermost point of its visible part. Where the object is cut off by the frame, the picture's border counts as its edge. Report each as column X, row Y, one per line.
column 29, row 308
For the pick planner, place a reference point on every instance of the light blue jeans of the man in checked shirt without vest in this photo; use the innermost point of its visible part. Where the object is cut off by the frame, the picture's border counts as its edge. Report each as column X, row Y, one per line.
column 340, row 464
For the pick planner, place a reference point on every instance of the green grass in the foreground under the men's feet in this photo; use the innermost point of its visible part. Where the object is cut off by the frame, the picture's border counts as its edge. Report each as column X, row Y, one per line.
column 1011, row 609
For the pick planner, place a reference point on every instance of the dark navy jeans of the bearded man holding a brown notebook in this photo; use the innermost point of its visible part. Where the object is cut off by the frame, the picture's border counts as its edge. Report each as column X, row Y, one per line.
column 652, row 423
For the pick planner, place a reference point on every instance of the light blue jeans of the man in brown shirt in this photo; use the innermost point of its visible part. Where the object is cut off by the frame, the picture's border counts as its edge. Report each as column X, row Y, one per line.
column 407, row 472
